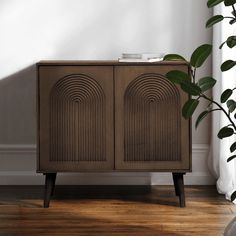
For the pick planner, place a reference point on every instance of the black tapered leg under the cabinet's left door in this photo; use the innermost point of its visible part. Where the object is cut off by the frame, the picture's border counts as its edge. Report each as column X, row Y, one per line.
column 49, row 187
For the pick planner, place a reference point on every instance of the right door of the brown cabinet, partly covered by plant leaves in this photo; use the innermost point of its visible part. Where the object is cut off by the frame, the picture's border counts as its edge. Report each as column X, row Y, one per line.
column 150, row 131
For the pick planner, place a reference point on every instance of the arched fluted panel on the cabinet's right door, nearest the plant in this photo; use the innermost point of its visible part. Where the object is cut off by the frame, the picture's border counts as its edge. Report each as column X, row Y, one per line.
column 152, row 120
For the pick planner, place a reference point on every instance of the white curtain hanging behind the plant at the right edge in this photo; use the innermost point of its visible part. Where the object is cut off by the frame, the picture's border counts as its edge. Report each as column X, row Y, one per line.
column 224, row 171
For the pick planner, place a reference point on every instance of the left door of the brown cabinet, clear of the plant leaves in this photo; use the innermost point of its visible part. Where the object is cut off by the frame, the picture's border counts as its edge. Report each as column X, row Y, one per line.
column 75, row 118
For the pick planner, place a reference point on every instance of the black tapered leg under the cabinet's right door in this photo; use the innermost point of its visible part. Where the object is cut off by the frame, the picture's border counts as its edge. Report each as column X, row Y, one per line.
column 179, row 187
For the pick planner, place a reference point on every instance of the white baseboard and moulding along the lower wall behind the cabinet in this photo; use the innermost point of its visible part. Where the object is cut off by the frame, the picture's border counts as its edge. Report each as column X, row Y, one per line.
column 18, row 163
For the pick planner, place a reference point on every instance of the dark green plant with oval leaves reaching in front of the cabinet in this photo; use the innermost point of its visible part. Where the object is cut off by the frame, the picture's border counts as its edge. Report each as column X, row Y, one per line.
column 198, row 89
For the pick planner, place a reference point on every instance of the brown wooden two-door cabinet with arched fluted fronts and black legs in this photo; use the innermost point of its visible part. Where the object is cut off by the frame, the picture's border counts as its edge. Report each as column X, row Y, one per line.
column 110, row 116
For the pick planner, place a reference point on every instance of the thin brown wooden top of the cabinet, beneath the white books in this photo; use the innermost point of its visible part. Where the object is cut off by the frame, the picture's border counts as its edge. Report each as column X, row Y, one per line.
column 104, row 63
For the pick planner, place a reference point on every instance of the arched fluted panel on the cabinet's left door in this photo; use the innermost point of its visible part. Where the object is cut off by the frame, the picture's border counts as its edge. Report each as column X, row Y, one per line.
column 77, row 120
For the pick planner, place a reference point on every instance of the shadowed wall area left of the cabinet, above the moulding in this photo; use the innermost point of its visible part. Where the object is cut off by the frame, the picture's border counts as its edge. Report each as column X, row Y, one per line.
column 18, row 107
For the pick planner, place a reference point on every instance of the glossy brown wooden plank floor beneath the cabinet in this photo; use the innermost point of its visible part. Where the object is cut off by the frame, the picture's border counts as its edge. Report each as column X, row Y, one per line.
column 113, row 211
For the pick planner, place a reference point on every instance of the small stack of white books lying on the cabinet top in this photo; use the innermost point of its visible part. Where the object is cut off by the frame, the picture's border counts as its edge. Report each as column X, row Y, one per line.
column 141, row 57
